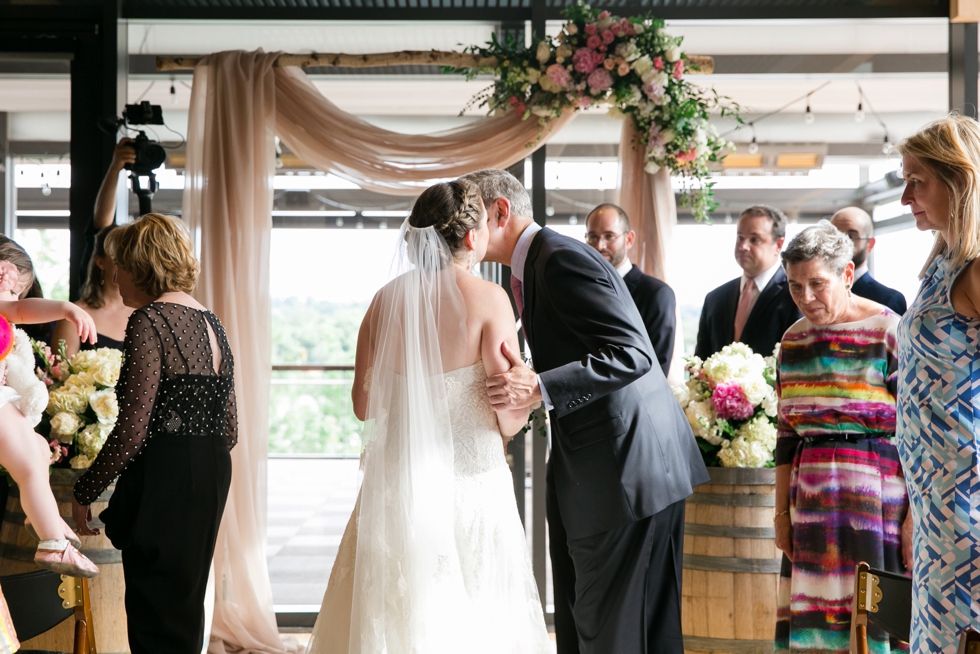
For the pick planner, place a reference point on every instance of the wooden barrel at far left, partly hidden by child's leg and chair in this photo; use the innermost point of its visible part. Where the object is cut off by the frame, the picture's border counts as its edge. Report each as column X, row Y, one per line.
column 106, row 591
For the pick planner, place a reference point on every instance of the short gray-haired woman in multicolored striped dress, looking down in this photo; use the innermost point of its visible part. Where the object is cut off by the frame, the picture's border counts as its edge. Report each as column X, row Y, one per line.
column 840, row 494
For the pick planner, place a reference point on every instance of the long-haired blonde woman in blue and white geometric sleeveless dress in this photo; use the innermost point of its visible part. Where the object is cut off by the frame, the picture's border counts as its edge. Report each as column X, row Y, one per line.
column 939, row 402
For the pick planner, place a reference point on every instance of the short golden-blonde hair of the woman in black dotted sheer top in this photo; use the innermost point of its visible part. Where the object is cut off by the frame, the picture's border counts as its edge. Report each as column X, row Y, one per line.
column 156, row 250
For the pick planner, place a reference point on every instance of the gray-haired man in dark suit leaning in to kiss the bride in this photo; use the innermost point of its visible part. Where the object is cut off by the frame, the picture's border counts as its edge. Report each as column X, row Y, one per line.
column 623, row 456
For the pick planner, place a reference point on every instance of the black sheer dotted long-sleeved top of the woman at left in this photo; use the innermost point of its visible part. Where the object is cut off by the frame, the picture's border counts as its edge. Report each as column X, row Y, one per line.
column 167, row 387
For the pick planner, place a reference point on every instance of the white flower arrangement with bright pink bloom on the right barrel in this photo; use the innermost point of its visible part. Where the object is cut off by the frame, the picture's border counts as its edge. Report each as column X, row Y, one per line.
column 730, row 400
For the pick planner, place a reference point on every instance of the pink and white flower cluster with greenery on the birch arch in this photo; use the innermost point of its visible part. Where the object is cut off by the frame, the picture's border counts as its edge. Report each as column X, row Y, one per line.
column 633, row 66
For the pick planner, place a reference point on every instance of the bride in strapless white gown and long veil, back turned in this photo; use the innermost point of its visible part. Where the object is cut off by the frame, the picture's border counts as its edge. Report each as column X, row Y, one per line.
column 434, row 558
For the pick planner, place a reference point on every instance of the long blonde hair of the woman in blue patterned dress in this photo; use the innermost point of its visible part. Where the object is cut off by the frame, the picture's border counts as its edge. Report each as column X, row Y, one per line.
column 950, row 149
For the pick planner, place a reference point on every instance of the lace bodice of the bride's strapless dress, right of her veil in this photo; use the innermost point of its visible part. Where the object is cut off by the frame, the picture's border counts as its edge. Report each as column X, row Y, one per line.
column 477, row 444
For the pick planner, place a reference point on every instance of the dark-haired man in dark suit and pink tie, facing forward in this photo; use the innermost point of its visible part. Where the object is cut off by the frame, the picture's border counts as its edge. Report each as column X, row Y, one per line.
column 756, row 308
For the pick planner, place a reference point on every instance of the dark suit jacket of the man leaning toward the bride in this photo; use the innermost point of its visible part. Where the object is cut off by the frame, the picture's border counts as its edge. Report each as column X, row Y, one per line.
column 622, row 449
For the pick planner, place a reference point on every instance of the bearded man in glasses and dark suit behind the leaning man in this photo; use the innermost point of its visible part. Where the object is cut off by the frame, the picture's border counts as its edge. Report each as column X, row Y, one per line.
column 609, row 232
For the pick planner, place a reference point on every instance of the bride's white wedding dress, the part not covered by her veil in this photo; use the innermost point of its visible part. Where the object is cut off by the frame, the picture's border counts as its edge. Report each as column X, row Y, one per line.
column 485, row 599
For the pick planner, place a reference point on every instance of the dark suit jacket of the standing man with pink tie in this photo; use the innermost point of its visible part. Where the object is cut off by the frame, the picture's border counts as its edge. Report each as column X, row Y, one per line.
column 774, row 312
